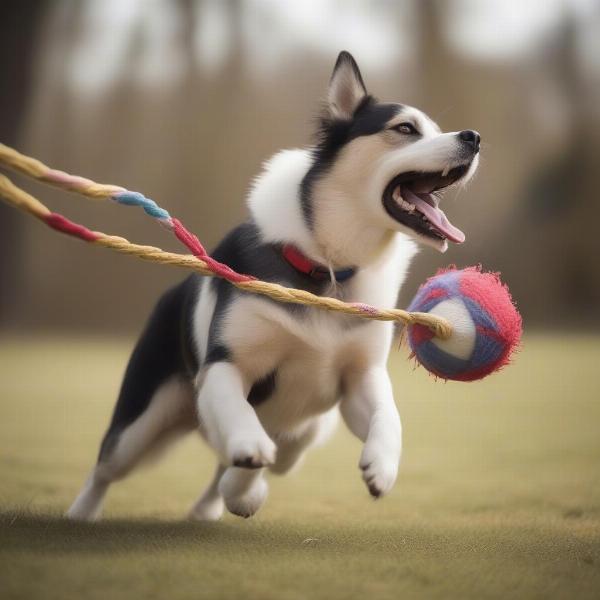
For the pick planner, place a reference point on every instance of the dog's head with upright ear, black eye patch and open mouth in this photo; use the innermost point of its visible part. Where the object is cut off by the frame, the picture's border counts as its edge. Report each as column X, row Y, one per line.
column 390, row 161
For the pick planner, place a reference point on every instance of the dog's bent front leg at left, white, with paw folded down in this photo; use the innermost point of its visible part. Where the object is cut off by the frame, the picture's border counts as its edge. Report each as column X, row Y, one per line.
column 229, row 422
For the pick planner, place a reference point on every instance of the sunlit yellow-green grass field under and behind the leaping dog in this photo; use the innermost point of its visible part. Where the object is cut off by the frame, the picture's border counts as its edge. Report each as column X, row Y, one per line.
column 498, row 496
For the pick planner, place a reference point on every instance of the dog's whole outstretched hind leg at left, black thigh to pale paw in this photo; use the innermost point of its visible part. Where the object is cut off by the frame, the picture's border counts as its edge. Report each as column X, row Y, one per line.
column 156, row 399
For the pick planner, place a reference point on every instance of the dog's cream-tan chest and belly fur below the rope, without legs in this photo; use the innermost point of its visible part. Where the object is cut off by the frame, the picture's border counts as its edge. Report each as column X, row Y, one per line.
column 309, row 356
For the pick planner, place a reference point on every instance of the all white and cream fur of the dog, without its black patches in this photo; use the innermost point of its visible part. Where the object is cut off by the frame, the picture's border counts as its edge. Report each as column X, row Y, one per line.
column 324, row 365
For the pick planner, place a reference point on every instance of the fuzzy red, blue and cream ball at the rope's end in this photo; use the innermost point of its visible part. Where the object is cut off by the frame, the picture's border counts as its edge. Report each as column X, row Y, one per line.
column 486, row 326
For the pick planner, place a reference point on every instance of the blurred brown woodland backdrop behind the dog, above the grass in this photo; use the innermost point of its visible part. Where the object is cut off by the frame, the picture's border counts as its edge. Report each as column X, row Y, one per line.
column 183, row 100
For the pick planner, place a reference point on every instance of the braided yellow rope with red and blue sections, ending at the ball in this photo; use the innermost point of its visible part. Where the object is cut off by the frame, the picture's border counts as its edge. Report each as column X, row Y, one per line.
column 199, row 261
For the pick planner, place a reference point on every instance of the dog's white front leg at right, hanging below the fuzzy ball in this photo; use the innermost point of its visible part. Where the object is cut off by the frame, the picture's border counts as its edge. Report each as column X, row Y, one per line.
column 369, row 411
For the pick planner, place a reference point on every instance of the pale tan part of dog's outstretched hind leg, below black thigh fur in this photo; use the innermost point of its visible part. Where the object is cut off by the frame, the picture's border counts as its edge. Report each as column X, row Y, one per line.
column 168, row 416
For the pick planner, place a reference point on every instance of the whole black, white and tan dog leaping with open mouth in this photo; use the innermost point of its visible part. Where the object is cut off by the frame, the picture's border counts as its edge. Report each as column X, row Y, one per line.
column 264, row 381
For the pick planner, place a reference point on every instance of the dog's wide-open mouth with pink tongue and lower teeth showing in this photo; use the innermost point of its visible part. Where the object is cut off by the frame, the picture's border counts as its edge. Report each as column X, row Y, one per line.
column 412, row 199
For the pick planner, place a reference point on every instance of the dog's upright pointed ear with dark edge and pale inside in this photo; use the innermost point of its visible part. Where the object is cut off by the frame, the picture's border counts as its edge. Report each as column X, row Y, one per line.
column 346, row 87
